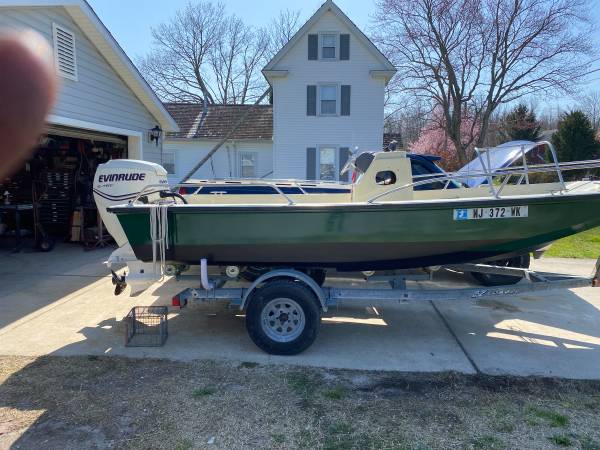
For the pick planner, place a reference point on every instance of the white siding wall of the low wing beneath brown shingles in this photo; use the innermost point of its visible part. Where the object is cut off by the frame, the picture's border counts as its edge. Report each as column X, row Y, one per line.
column 225, row 161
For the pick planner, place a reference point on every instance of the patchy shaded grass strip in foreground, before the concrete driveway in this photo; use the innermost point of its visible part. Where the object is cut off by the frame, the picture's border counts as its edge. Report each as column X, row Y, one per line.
column 107, row 402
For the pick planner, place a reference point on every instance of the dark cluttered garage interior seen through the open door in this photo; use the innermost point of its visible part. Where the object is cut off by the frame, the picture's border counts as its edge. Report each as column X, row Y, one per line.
column 50, row 199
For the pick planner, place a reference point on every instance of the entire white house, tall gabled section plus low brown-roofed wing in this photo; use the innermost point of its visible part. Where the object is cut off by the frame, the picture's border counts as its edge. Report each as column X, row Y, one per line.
column 328, row 86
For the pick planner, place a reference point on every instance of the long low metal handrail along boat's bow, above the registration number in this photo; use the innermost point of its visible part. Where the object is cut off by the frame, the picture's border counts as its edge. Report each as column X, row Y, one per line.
column 508, row 172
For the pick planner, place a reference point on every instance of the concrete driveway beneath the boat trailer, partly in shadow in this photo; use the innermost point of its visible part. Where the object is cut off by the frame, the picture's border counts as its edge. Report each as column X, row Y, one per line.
column 62, row 303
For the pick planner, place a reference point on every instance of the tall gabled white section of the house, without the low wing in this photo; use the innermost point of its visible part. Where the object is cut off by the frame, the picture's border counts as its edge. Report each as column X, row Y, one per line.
column 328, row 92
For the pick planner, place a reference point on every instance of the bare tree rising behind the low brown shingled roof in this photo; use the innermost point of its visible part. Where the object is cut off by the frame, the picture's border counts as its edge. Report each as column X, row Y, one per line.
column 204, row 55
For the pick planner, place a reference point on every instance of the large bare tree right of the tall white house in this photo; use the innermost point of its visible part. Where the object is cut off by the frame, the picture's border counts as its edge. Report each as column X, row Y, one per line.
column 469, row 57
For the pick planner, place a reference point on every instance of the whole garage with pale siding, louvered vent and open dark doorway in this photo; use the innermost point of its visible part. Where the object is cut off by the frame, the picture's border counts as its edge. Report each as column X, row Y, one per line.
column 104, row 110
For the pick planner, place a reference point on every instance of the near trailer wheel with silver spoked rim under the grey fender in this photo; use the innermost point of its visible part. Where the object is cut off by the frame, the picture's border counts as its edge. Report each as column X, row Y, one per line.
column 283, row 317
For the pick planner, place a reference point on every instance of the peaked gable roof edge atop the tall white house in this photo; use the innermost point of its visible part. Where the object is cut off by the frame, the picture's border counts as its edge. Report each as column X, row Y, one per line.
column 329, row 5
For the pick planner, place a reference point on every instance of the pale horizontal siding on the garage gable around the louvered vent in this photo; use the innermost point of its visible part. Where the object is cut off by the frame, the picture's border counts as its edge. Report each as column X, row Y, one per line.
column 99, row 96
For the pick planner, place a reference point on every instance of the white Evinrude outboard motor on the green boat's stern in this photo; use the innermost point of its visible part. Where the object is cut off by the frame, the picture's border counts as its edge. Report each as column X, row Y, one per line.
column 116, row 183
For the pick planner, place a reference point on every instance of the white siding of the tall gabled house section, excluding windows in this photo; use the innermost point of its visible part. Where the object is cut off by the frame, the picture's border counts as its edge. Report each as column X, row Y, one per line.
column 294, row 131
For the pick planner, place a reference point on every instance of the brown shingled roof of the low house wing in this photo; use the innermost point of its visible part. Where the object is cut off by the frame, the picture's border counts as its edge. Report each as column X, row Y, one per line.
column 219, row 120
